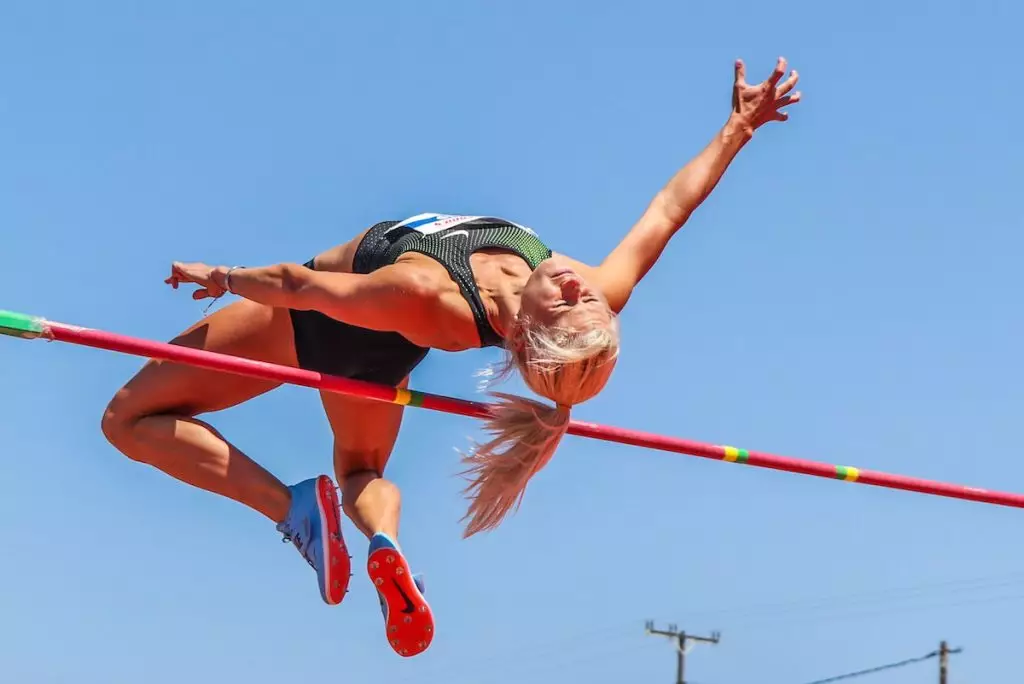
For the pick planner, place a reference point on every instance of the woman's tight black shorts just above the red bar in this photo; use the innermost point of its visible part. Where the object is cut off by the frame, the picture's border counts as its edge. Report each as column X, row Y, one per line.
column 333, row 348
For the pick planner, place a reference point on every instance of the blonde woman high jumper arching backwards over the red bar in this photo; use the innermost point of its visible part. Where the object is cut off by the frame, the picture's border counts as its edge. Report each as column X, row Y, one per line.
column 371, row 310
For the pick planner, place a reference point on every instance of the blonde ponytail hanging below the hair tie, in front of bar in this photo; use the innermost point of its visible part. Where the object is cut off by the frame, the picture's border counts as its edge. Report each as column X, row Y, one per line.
column 526, row 437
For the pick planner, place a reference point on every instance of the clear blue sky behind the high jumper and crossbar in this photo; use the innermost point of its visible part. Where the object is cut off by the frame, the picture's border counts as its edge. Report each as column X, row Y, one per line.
column 849, row 294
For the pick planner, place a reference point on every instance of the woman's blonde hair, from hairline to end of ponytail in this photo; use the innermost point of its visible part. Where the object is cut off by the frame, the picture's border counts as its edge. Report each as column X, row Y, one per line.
column 565, row 366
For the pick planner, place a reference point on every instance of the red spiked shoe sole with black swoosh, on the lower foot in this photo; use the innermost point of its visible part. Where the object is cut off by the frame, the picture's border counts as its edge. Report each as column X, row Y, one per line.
column 410, row 624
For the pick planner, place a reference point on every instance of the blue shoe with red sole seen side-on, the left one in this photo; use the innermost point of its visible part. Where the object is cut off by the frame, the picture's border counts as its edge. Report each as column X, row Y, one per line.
column 314, row 526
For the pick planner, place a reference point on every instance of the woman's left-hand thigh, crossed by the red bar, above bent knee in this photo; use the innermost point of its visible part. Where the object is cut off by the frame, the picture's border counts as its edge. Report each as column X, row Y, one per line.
column 241, row 329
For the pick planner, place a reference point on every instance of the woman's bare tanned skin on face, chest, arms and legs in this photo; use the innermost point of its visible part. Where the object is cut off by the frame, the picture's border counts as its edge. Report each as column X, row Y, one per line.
column 154, row 418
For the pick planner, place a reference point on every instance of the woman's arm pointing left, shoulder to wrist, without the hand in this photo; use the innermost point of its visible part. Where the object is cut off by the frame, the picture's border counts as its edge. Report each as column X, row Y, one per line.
column 396, row 298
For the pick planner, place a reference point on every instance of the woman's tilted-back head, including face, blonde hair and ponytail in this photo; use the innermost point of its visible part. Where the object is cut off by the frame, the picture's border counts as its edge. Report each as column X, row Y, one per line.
column 565, row 345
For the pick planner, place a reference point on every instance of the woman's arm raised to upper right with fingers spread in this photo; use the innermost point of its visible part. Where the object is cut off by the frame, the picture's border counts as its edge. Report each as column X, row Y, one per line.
column 636, row 254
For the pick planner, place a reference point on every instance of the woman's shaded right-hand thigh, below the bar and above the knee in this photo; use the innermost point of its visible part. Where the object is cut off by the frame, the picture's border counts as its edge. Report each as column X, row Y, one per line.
column 365, row 432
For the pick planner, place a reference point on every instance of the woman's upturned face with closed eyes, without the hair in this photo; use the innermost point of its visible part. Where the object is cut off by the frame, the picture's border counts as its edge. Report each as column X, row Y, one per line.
column 558, row 296
